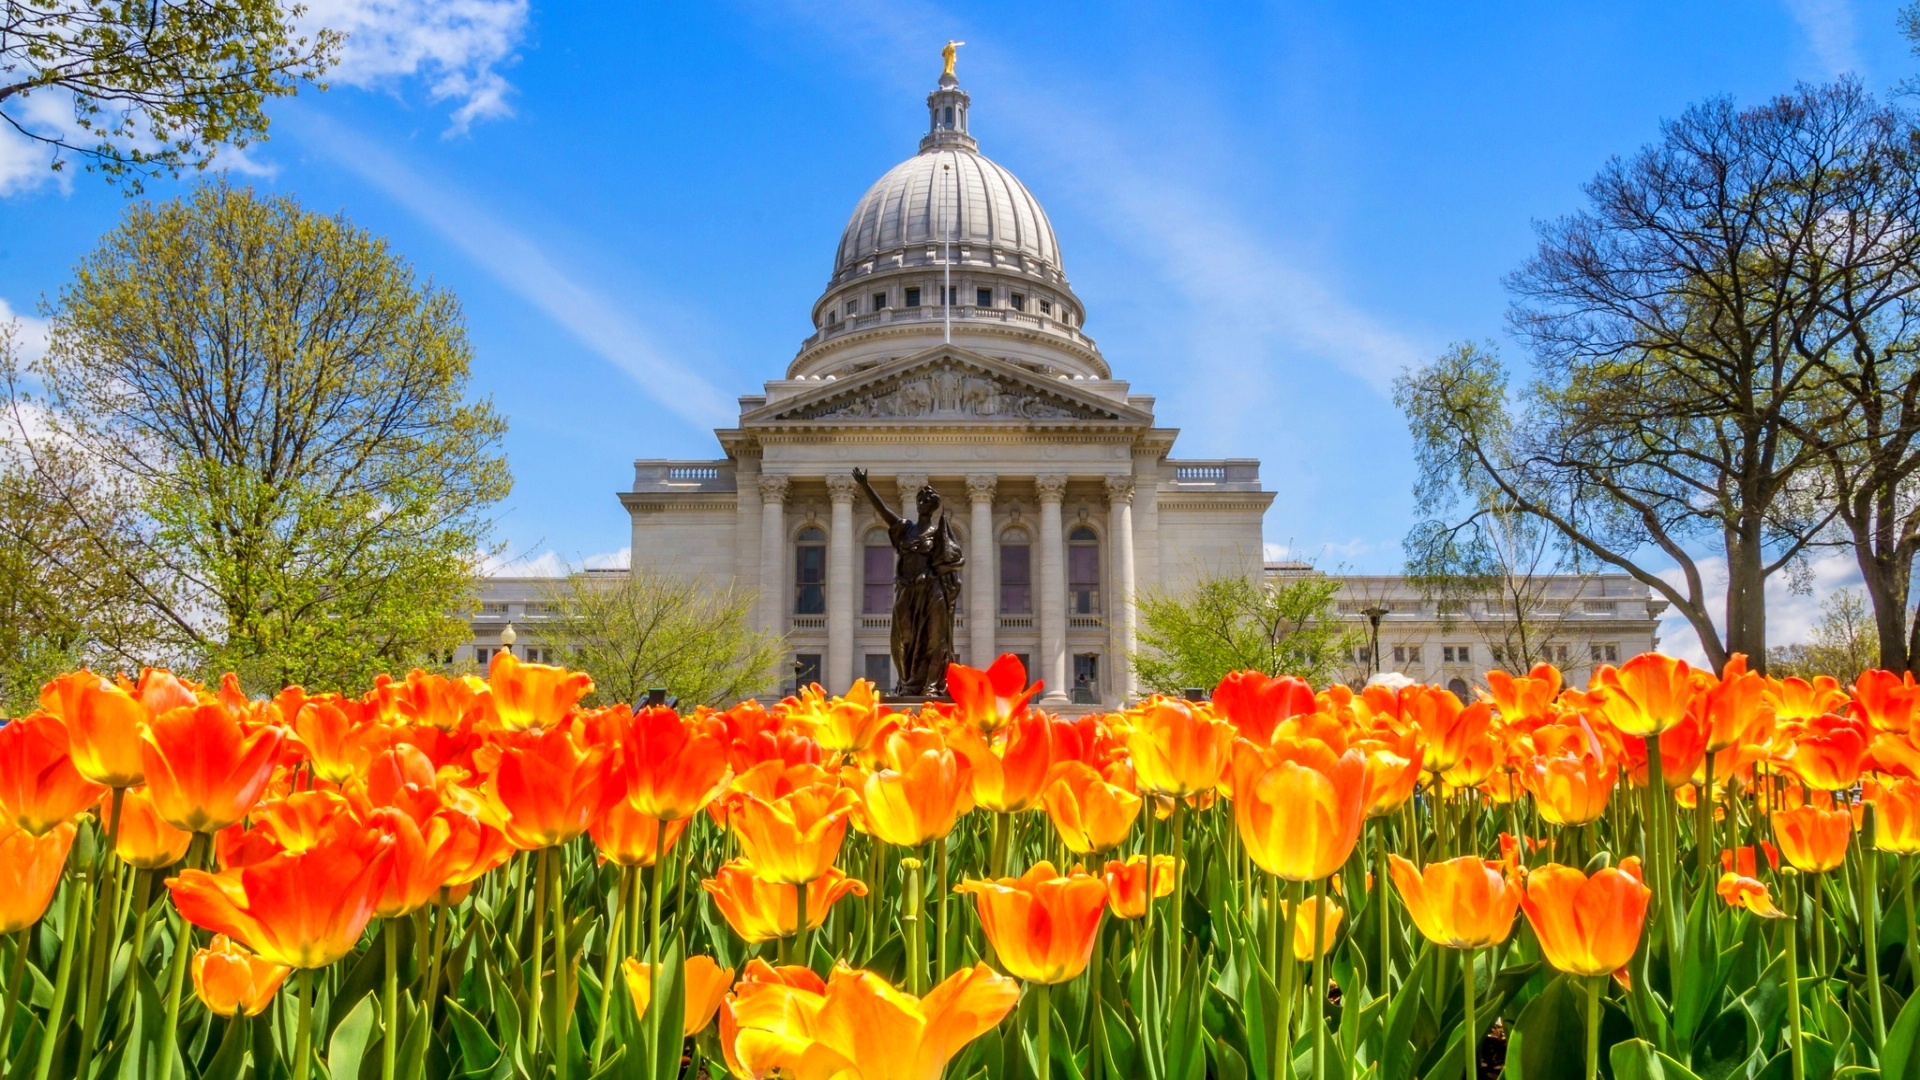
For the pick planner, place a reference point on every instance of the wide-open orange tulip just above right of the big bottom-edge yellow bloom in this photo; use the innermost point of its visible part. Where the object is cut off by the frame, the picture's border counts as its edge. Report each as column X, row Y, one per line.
column 1042, row 923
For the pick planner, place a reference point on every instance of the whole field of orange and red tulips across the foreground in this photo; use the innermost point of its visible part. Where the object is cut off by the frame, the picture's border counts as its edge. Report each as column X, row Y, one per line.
column 1662, row 875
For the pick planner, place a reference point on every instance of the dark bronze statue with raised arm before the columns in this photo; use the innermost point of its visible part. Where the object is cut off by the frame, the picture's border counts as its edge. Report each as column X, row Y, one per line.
column 926, row 587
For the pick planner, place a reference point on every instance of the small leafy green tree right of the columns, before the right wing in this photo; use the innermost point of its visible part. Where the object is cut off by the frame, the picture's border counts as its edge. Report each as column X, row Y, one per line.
column 1284, row 626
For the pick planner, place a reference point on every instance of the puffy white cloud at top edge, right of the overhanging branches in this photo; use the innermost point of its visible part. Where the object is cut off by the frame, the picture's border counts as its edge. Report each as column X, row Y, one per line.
column 456, row 45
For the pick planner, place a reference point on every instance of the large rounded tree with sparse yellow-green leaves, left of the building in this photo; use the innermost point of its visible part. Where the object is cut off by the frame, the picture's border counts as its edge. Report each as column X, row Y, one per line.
column 287, row 410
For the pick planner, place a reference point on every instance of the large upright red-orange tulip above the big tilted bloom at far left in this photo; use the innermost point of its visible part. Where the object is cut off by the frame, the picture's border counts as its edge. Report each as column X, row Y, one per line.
column 204, row 768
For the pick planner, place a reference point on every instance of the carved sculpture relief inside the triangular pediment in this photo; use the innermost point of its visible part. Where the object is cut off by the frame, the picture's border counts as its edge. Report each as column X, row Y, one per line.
column 948, row 391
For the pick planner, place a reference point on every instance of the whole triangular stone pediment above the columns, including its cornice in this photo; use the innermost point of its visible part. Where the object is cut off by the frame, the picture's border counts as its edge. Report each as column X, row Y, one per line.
column 948, row 385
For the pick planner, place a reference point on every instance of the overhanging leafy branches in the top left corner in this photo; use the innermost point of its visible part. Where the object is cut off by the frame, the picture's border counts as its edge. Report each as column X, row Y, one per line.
column 155, row 87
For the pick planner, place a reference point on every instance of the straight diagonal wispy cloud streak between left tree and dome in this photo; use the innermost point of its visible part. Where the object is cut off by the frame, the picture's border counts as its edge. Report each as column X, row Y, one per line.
column 525, row 268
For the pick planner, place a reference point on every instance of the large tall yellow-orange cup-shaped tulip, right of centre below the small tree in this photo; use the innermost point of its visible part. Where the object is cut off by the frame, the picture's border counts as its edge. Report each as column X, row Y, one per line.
column 1299, row 808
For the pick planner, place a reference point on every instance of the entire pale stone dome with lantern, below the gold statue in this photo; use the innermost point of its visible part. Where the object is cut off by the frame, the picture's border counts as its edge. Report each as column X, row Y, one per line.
column 949, row 222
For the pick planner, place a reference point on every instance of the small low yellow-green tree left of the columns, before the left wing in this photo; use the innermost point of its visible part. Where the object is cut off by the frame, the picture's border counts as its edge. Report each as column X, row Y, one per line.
column 642, row 629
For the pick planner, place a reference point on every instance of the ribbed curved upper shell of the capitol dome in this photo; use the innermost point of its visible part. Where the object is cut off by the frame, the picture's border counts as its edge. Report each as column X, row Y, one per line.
column 978, row 205
